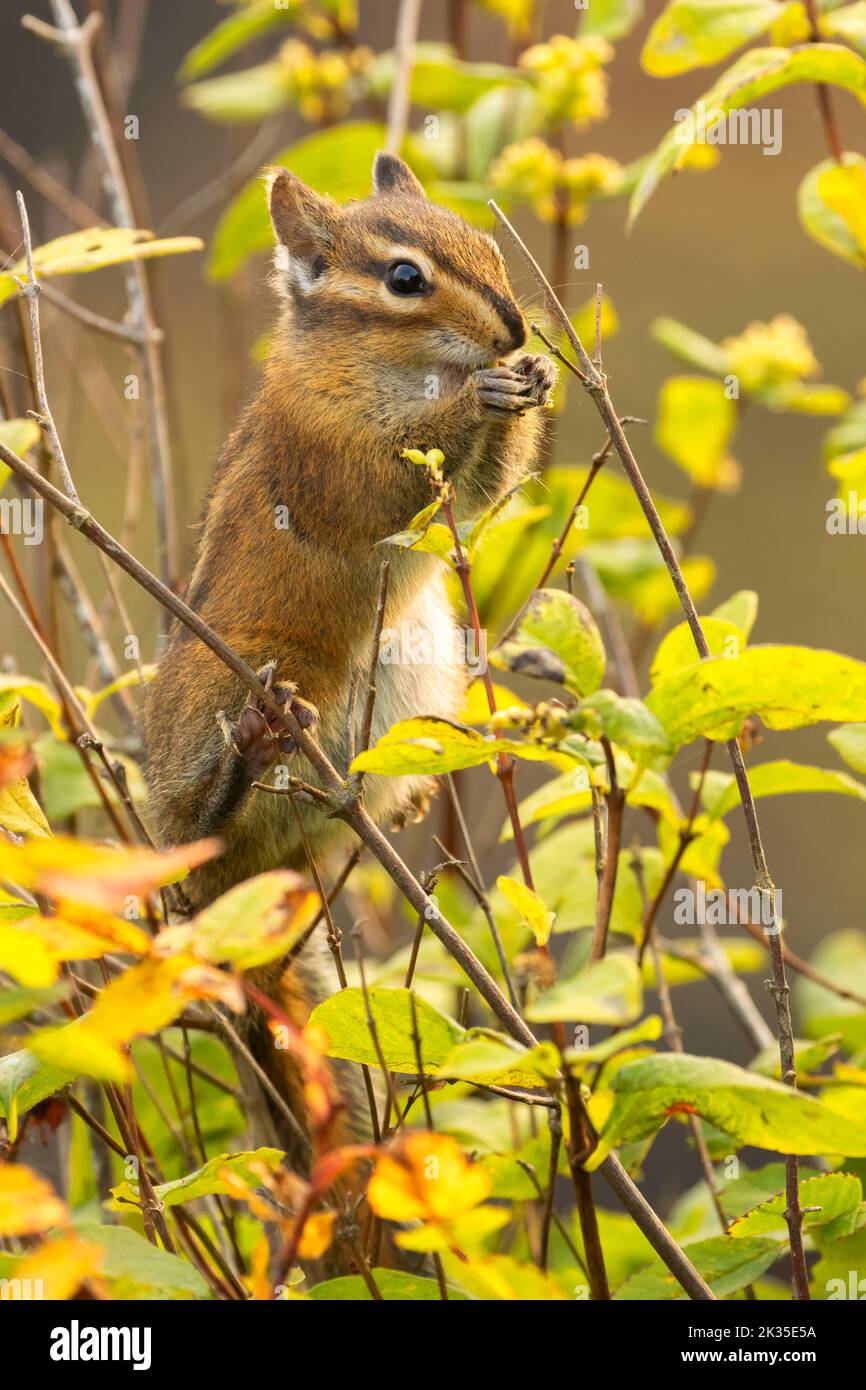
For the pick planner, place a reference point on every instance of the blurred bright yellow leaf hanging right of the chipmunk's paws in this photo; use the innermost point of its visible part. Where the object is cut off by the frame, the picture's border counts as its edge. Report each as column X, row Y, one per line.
column 696, row 425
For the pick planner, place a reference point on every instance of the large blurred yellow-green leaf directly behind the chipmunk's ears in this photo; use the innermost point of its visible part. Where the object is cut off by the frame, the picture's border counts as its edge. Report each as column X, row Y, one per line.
column 337, row 162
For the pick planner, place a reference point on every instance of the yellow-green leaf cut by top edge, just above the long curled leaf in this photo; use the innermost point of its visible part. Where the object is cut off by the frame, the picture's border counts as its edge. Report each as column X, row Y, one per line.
column 696, row 34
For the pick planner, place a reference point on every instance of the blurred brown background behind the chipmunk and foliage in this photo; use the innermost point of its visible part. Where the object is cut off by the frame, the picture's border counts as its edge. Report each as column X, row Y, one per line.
column 715, row 250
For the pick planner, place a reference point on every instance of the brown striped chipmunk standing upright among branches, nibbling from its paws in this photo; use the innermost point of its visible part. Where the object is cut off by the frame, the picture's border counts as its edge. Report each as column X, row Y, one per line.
column 400, row 330
